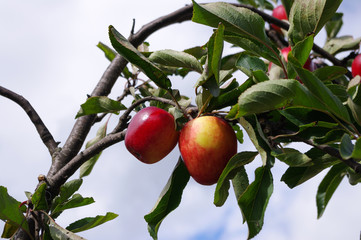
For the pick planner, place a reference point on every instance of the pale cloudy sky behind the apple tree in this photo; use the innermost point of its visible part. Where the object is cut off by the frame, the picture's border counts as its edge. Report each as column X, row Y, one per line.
column 48, row 54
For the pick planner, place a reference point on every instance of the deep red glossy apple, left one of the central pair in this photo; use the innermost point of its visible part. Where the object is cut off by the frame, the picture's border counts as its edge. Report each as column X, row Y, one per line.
column 151, row 134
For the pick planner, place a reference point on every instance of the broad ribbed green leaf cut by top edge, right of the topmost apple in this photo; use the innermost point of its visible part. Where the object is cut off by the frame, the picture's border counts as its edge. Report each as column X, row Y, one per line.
column 308, row 17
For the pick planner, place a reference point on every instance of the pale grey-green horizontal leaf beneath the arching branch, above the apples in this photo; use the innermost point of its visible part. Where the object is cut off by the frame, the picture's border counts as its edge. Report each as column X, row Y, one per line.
column 177, row 59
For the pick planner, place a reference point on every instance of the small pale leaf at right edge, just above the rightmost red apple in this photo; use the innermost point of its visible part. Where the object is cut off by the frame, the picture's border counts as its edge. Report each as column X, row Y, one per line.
column 340, row 44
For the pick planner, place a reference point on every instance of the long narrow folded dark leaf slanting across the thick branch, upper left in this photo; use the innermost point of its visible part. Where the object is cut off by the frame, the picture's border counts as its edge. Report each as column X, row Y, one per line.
column 129, row 52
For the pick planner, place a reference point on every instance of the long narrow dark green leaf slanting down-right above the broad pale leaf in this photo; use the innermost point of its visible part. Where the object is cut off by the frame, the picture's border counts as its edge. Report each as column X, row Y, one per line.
column 319, row 90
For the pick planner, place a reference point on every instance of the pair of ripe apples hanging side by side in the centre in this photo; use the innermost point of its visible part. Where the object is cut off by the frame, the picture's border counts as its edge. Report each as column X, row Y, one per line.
column 206, row 143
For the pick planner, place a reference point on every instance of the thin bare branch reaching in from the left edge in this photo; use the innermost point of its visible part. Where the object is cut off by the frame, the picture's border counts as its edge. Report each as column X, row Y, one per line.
column 43, row 131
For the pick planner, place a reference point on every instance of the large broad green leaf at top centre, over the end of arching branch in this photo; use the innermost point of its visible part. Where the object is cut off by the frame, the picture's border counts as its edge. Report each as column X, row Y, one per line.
column 241, row 24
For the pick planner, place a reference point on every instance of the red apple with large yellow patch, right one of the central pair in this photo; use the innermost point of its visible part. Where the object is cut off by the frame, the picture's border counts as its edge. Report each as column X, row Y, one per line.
column 206, row 144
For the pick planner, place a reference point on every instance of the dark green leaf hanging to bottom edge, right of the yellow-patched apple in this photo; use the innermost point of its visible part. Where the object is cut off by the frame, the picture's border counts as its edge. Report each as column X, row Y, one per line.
column 253, row 202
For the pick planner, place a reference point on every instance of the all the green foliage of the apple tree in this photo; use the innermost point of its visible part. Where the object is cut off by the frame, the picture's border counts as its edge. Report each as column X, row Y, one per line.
column 274, row 106
